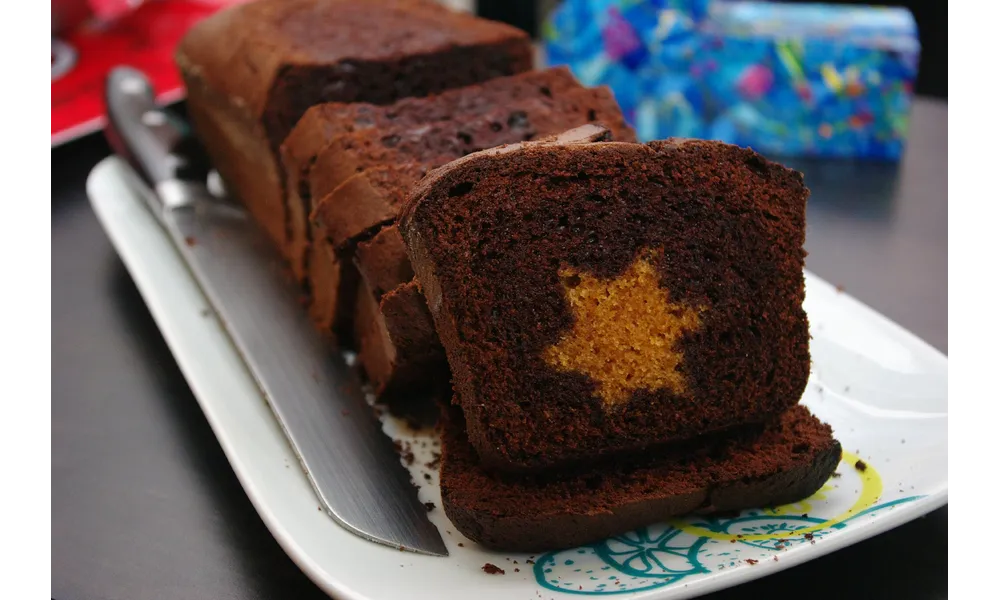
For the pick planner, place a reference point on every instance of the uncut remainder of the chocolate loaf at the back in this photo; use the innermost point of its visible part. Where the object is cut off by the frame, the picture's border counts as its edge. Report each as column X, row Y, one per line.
column 252, row 70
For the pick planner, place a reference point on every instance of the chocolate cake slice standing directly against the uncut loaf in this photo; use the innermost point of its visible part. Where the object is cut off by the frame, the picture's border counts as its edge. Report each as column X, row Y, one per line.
column 324, row 122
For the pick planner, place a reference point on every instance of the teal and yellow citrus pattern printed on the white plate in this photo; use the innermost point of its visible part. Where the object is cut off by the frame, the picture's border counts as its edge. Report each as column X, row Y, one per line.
column 665, row 554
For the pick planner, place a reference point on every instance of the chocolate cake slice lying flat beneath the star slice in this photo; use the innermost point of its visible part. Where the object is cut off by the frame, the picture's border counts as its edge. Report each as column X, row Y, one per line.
column 787, row 461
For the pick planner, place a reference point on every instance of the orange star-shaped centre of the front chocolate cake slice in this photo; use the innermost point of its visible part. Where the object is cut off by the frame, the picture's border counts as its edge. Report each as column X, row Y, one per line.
column 625, row 332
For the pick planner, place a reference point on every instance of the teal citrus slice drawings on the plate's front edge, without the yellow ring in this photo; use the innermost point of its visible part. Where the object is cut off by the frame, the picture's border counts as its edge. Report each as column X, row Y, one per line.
column 662, row 555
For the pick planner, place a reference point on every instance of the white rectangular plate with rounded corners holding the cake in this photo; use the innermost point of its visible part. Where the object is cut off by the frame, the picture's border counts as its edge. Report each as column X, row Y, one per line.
column 886, row 393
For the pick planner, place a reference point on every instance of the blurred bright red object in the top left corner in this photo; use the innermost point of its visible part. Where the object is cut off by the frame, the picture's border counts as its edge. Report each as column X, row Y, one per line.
column 143, row 38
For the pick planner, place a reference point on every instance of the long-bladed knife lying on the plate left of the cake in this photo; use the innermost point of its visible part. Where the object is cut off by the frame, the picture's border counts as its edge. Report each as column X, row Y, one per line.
column 316, row 397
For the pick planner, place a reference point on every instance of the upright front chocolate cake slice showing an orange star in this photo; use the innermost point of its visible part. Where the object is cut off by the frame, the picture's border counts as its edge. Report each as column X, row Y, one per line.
column 599, row 298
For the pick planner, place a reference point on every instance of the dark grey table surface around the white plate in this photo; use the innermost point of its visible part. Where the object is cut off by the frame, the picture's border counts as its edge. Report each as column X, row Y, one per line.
column 143, row 504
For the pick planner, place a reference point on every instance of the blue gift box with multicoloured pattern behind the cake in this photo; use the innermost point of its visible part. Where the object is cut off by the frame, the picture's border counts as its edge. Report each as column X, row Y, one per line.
column 787, row 80
